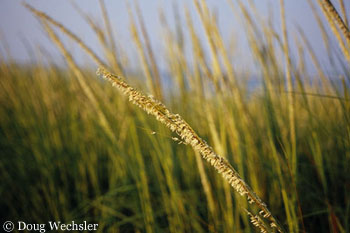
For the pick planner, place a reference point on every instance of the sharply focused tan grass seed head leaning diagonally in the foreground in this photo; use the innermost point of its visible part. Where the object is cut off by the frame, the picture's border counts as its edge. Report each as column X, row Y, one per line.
column 176, row 124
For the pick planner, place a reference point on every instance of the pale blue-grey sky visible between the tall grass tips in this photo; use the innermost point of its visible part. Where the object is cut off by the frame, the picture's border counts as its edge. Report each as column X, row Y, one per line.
column 18, row 27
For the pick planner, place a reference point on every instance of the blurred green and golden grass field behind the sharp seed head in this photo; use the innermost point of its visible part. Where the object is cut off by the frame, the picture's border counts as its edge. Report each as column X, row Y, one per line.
column 73, row 148
